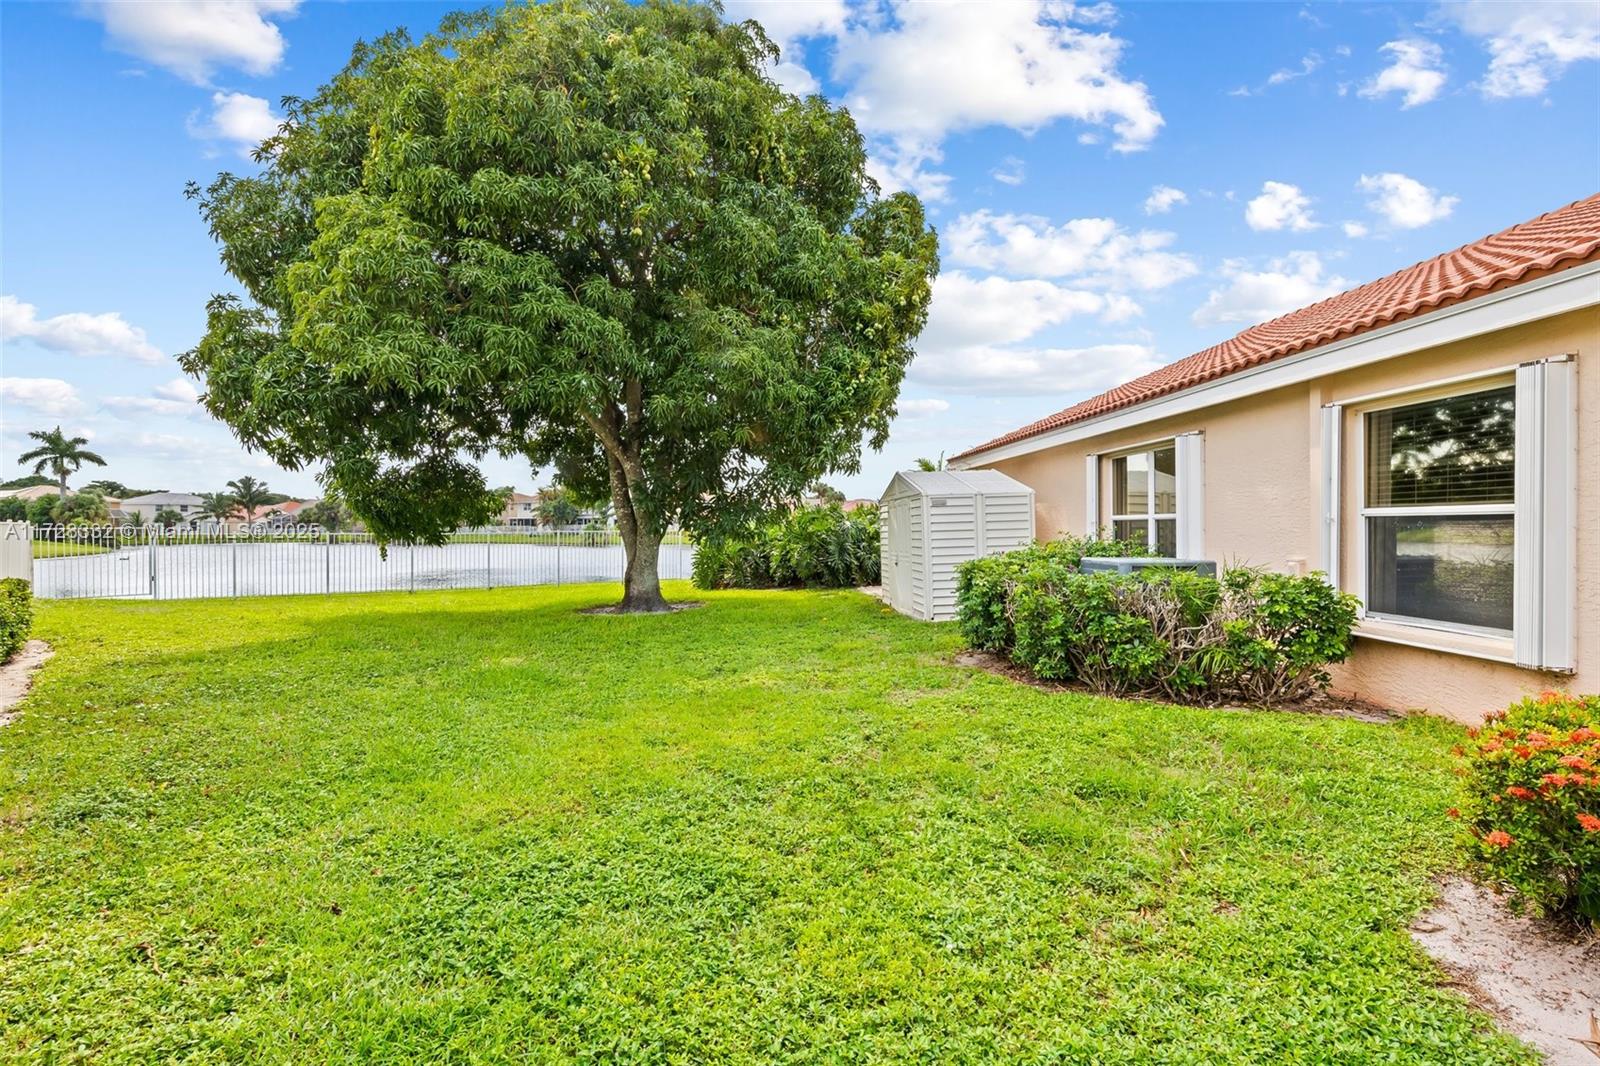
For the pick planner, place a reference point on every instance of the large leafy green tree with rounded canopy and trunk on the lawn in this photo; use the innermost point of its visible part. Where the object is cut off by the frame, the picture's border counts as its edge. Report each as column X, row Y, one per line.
column 586, row 233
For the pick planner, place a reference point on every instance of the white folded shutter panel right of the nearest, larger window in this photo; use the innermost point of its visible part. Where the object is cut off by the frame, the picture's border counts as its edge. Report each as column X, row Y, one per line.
column 1546, row 515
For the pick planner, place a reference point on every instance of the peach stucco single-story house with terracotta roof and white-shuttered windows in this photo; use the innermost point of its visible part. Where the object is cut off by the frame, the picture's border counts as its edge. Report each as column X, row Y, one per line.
column 1430, row 441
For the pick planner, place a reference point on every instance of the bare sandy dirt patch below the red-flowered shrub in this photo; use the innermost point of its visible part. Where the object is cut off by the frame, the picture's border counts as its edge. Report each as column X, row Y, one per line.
column 1542, row 982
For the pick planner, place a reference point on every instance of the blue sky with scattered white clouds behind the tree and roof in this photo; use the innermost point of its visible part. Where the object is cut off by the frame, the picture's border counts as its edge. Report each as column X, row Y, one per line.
column 1116, row 186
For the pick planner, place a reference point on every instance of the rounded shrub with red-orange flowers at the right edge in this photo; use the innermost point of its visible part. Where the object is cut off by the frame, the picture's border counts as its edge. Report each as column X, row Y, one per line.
column 1534, row 801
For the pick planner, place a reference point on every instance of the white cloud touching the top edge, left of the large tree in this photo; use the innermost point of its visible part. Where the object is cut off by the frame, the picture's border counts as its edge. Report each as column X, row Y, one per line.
column 196, row 38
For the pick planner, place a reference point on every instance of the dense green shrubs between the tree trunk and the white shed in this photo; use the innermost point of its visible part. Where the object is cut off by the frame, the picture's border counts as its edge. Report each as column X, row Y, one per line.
column 817, row 548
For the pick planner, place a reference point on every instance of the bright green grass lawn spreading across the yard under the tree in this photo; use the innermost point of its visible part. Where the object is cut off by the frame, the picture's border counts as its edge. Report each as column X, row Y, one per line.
column 479, row 827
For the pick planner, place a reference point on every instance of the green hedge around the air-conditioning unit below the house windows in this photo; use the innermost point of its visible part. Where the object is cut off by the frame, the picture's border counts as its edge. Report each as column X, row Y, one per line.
column 1247, row 636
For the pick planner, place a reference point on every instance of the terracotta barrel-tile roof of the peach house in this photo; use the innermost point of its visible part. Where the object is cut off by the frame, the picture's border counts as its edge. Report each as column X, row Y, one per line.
column 1558, row 241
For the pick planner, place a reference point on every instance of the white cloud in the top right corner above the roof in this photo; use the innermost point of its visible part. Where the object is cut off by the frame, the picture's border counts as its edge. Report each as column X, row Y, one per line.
column 1530, row 44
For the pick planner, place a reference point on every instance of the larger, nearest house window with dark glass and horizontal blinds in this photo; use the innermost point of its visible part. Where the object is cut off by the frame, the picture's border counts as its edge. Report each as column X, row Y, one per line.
column 1439, row 510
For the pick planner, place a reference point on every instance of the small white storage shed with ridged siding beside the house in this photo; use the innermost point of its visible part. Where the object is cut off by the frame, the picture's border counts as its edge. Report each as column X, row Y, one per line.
column 934, row 521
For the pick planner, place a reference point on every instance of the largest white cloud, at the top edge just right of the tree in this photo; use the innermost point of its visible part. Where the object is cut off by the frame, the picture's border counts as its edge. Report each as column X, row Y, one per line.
column 918, row 73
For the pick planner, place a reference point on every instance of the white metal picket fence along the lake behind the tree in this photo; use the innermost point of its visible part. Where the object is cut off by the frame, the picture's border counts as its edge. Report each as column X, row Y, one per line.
column 146, row 563
